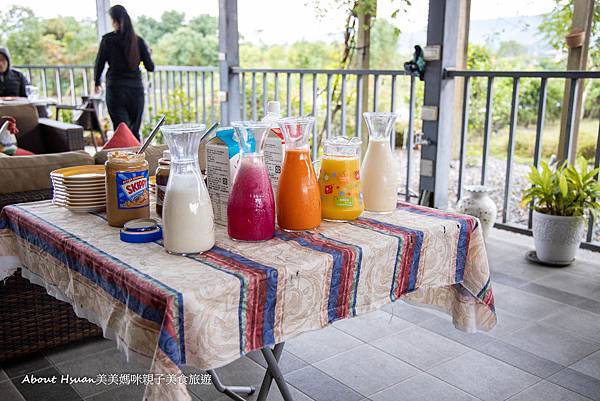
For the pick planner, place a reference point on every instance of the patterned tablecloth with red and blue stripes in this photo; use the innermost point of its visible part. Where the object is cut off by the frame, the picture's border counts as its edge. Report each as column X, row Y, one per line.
column 208, row 310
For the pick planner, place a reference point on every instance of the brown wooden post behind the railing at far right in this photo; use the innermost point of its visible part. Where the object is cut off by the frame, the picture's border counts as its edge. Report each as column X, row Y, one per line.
column 583, row 12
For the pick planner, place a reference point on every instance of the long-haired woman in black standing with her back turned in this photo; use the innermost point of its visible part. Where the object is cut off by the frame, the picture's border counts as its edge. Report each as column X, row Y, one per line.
column 123, row 50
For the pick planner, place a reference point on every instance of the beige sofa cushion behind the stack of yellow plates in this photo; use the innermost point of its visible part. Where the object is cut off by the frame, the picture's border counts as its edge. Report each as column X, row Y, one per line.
column 31, row 173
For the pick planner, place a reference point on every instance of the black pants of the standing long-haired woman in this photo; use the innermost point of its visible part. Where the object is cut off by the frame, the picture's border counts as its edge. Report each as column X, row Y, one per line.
column 126, row 105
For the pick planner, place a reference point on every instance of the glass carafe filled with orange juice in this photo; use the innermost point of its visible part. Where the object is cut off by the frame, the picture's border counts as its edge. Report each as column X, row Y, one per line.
column 298, row 195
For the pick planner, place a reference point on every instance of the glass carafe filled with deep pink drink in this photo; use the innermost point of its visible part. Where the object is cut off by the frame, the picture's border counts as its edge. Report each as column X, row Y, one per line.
column 251, row 205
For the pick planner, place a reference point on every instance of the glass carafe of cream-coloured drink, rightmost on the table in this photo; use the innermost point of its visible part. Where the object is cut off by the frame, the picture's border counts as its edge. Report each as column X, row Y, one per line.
column 378, row 173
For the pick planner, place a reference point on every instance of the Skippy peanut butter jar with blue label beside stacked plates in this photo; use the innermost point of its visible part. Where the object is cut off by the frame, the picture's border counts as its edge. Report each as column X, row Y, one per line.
column 127, row 193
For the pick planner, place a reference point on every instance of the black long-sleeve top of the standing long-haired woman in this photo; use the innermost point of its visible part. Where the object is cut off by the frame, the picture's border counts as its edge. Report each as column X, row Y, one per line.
column 112, row 51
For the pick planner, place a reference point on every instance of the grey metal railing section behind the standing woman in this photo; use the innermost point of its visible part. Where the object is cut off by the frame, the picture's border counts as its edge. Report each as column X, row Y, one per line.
column 168, row 88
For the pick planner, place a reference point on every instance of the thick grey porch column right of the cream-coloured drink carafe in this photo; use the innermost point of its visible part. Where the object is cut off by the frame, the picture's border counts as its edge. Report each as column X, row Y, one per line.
column 446, row 27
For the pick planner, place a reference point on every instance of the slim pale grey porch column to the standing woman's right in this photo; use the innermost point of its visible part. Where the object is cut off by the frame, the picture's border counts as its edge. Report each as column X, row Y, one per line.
column 229, row 58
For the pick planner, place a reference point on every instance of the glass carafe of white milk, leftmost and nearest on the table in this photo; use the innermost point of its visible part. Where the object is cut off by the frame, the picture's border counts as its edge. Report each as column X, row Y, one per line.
column 188, row 224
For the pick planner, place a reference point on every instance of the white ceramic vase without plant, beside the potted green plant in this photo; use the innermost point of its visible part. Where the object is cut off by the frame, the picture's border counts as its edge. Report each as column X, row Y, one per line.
column 478, row 203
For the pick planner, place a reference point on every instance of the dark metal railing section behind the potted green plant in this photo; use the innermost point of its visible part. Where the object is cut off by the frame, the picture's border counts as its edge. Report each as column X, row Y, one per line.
column 574, row 80
